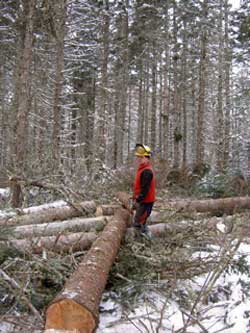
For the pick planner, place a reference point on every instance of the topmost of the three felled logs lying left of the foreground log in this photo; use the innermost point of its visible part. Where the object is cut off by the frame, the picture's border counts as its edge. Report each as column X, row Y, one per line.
column 44, row 214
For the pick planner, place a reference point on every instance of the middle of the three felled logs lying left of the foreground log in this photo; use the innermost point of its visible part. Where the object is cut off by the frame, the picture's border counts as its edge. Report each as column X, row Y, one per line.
column 57, row 227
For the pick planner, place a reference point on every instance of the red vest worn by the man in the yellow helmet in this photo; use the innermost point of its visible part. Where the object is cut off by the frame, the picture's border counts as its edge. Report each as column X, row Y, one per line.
column 139, row 187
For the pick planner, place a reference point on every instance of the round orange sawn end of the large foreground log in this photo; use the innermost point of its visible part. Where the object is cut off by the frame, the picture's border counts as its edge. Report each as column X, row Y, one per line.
column 69, row 316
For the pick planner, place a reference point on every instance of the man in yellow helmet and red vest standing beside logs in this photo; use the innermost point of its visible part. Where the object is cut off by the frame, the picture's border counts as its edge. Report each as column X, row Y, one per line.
column 144, row 188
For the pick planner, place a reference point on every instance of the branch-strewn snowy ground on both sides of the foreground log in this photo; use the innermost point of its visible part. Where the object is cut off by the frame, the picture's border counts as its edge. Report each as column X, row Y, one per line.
column 194, row 279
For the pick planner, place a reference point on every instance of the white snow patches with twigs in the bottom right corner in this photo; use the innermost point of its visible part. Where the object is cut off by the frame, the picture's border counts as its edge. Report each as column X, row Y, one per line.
column 229, row 312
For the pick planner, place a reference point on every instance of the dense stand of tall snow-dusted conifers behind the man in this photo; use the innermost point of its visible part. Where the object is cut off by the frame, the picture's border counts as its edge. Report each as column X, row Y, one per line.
column 81, row 82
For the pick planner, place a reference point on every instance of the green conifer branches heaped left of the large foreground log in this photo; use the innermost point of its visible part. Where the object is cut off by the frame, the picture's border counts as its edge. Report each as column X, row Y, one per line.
column 39, row 279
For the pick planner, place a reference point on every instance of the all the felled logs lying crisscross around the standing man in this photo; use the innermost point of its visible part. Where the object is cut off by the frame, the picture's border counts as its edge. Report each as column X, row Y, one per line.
column 100, row 228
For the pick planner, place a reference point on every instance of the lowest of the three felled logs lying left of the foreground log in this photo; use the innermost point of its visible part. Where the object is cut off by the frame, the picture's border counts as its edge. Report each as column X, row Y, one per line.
column 60, row 243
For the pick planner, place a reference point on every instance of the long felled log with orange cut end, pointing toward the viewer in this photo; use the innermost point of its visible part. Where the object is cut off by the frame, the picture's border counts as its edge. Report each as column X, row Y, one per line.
column 76, row 307
